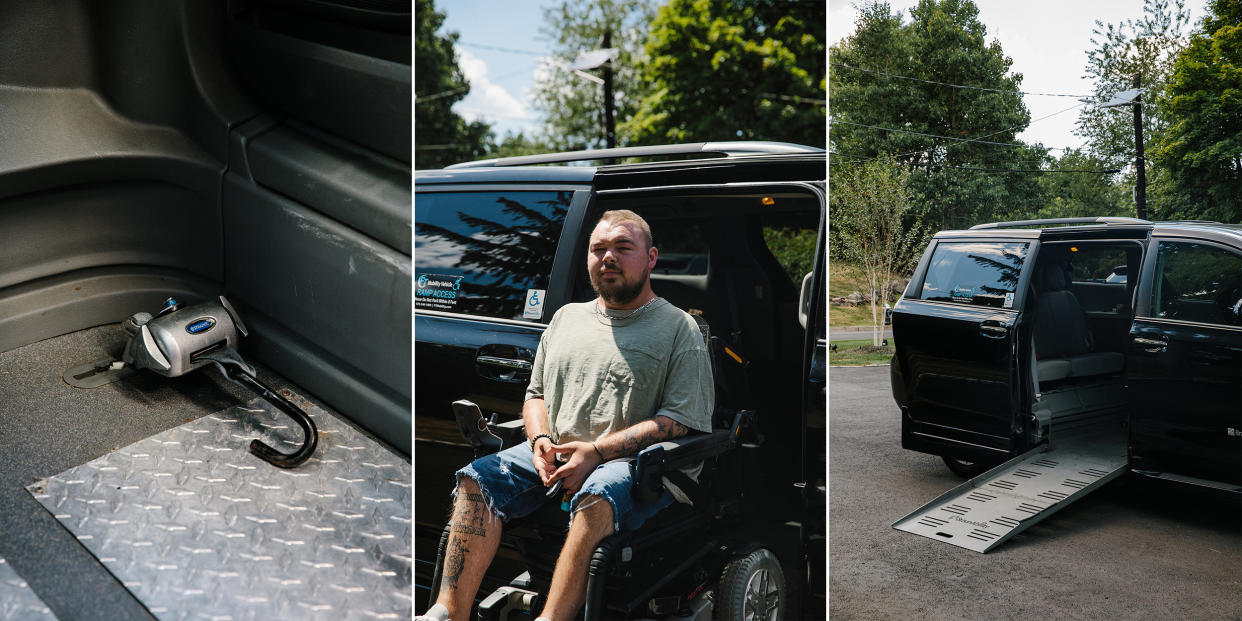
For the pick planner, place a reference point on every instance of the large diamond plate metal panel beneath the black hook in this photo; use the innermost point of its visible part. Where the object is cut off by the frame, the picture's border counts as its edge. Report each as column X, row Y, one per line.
column 197, row 527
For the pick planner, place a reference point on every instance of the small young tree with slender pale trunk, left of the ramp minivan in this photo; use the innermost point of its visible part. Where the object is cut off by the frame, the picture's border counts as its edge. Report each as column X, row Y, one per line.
column 875, row 227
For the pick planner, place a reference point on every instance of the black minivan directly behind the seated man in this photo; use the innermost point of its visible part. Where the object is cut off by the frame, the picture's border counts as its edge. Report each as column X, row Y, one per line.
column 501, row 245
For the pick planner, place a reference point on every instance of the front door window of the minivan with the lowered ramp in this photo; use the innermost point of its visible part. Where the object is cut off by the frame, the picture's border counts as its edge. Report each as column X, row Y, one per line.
column 1198, row 283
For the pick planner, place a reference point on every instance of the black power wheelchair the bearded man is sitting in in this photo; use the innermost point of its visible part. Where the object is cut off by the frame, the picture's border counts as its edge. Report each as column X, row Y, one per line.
column 718, row 558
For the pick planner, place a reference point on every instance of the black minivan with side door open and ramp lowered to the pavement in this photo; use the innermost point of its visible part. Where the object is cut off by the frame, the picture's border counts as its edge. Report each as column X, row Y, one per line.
column 1012, row 331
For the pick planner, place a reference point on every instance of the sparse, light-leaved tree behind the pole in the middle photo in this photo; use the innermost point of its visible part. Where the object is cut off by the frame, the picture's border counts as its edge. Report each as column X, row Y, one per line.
column 572, row 106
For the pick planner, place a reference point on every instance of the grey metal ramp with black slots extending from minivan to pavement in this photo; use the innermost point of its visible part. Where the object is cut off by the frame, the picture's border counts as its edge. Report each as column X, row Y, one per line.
column 1000, row 504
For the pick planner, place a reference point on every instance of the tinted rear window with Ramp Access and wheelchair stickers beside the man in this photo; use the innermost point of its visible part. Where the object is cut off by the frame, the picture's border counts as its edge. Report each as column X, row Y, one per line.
column 486, row 254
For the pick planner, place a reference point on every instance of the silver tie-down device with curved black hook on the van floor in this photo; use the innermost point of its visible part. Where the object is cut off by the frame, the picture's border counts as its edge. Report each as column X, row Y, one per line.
column 181, row 340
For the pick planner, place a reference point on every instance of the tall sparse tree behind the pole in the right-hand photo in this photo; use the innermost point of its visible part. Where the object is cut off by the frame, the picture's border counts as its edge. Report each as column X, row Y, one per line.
column 1145, row 49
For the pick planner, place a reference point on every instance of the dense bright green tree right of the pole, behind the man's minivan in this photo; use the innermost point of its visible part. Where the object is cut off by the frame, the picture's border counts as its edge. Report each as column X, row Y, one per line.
column 727, row 70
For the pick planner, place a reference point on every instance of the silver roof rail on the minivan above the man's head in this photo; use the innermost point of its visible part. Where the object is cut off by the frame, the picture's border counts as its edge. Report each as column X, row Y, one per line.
column 721, row 148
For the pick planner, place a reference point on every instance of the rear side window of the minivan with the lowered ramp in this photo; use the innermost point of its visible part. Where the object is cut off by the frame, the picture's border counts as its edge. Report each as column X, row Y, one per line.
column 979, row 274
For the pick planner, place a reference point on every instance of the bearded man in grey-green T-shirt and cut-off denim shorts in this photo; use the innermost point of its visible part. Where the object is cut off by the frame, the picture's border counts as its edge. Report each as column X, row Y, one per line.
column 612, row 377
